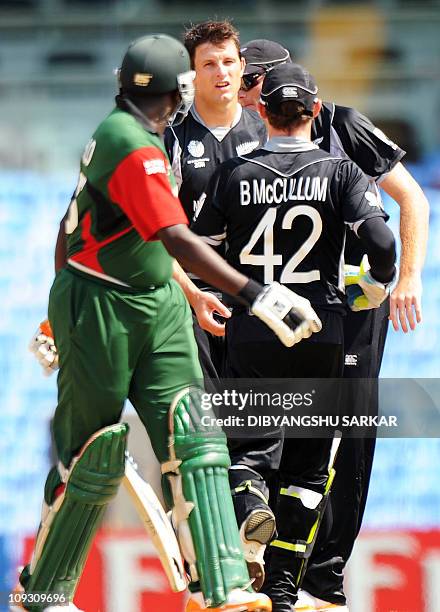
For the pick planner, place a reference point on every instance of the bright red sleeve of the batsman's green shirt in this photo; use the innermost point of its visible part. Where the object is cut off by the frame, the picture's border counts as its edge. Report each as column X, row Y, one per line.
column 141, row 187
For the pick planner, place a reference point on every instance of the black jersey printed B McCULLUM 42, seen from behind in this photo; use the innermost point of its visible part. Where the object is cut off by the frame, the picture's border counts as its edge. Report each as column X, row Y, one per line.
column 282, row 212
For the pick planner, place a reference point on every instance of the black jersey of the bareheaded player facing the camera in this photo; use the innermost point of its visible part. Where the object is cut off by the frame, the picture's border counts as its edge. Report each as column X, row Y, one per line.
column 195, row 151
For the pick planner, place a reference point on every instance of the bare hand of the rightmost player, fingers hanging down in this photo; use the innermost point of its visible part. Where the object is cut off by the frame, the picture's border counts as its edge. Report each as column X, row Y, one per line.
column 405, row 302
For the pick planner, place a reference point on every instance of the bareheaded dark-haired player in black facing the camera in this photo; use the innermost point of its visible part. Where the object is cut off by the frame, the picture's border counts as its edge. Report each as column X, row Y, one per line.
column 215, row 129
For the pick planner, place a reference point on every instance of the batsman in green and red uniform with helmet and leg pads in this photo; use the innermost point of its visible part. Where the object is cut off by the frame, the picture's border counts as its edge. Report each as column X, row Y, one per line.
column 123, row 329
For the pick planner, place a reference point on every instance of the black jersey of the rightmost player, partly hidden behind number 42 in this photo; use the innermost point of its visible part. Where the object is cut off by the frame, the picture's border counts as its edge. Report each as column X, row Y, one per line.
column 345, row 132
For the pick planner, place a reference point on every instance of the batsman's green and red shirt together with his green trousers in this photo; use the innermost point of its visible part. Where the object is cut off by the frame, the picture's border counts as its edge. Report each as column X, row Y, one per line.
column 122, row 326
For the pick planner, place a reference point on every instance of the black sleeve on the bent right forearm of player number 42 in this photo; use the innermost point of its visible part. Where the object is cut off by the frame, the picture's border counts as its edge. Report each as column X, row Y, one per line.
column 380, row 247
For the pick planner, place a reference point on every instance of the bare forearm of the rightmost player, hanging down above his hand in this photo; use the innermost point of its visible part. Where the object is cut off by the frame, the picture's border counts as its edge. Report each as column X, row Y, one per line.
column 414, row 219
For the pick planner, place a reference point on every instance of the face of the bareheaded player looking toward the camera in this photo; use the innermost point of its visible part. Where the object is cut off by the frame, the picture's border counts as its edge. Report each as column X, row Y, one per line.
column 218, row 72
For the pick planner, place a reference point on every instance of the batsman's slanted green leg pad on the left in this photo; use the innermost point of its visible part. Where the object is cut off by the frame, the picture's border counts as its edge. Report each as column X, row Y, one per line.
column 69, row 524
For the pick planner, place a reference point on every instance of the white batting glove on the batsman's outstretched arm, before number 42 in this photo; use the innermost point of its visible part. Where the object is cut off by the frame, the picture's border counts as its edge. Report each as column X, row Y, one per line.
column 289, row 316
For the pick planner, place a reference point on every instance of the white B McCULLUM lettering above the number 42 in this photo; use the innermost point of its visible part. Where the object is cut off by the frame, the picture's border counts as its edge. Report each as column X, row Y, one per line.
column 284, row 190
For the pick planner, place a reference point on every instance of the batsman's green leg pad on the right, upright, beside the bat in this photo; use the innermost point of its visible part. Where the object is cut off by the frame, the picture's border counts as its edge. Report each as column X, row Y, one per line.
column 202, row 506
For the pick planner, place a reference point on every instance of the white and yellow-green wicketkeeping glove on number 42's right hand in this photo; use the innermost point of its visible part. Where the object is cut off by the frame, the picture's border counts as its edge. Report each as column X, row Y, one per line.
column 362, row 290
